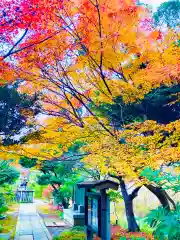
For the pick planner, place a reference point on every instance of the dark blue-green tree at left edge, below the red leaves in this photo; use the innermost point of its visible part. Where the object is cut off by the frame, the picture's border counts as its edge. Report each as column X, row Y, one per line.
column 15, row 109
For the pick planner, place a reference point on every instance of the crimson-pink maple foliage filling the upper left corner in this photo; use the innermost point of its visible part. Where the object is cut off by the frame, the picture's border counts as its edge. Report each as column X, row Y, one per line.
column 19, row 20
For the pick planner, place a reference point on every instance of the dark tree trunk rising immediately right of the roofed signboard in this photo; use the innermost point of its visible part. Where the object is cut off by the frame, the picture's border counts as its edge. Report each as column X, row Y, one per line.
column 128, row 201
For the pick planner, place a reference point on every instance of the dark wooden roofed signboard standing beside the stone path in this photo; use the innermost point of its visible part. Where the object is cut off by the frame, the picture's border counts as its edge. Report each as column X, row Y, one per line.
column 97, row 207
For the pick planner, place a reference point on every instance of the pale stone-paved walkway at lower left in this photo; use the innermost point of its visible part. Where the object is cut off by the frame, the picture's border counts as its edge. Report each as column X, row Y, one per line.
column 30, row 226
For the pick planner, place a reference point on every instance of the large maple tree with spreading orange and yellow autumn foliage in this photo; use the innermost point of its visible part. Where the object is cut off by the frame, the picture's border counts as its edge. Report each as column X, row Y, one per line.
column 95, row 52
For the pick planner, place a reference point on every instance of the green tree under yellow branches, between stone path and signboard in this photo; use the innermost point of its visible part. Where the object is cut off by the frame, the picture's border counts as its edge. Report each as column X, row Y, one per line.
column 59, row 173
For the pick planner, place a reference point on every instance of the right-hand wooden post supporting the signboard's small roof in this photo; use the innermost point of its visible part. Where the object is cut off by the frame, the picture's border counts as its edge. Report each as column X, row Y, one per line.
column 105, row 216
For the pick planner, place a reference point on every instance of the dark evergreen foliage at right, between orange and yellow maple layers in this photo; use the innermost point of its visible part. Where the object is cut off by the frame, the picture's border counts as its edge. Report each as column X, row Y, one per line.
column 161, row 105
